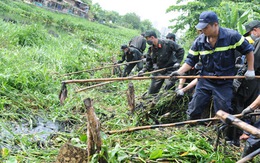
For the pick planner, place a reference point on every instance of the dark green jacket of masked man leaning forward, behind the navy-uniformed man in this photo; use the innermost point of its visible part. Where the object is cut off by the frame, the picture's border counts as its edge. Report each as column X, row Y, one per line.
column 165, row 55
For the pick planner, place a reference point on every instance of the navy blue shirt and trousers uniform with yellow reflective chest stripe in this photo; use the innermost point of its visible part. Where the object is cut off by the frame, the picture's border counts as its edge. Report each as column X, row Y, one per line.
column 216, row 61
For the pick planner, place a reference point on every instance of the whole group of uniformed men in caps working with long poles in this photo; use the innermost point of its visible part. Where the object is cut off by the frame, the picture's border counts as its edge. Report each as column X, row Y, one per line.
column 215, row 49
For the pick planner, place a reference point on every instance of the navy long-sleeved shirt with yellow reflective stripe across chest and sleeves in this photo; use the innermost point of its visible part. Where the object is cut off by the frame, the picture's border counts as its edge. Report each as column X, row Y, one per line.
column 220, row 60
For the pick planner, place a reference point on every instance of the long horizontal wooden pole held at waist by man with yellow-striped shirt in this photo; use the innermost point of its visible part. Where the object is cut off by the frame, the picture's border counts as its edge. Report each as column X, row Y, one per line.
column 152, row 77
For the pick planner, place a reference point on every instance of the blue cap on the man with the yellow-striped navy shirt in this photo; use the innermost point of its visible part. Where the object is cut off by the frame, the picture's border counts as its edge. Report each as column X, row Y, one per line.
column 205, row 18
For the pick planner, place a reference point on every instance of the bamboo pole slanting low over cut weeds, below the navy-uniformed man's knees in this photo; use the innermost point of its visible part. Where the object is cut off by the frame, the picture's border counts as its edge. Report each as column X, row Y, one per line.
column 166, row 125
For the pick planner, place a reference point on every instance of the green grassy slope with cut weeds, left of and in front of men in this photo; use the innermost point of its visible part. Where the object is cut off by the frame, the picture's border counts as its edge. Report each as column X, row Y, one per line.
column 32, row 61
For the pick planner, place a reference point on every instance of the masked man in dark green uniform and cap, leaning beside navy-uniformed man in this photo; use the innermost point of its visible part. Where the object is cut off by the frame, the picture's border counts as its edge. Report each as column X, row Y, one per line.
column 162, row 53
